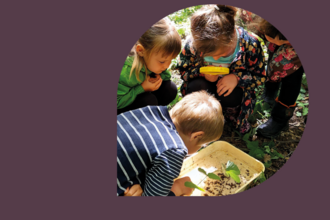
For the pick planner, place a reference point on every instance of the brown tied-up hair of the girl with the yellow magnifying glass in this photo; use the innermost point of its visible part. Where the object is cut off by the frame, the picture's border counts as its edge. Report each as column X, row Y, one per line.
column 213, row 26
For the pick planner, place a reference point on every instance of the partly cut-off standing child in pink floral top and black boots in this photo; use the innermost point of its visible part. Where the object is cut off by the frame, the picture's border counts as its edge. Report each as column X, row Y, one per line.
column 284, row 71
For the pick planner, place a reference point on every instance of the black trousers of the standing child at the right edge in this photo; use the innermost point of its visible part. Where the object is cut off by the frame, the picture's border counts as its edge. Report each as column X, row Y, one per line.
column 290, row 87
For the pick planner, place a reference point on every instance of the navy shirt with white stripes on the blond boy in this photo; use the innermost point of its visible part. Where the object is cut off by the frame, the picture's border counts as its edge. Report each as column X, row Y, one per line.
column 150, row 151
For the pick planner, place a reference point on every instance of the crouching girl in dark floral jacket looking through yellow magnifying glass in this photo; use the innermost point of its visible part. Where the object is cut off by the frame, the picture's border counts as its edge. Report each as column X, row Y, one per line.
column 216, row 41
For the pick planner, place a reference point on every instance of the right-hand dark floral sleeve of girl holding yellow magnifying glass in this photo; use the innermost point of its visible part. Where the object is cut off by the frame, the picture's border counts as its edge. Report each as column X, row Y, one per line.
column 250, row 70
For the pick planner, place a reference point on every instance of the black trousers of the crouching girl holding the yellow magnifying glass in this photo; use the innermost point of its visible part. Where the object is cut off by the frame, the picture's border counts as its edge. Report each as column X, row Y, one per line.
column 232, row 100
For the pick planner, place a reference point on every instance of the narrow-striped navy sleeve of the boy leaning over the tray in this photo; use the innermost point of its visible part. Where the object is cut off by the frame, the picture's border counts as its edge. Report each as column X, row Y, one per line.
column 166, row 167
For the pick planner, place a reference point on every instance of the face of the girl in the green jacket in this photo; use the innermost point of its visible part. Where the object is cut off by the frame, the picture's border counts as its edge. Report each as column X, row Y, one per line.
column 157, row 64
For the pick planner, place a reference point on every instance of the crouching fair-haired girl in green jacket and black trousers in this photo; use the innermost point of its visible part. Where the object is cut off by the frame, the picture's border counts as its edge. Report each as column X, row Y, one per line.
column 144, row 79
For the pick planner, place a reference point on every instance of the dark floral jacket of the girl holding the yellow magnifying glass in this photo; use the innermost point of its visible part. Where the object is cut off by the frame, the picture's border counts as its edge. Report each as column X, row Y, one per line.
column 248, row 66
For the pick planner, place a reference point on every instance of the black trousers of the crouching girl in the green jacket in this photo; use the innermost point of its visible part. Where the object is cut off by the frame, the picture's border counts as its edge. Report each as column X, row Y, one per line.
column 163, row 96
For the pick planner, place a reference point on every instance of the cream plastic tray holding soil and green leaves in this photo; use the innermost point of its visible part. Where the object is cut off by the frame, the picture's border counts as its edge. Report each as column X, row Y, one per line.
column 211, row 158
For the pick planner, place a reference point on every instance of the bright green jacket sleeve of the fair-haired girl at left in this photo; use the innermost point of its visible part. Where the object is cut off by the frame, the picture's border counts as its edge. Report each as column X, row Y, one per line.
column 128, row 88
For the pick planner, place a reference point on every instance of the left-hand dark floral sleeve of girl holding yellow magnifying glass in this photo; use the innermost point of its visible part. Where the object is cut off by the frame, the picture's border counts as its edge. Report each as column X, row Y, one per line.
column 189, row 64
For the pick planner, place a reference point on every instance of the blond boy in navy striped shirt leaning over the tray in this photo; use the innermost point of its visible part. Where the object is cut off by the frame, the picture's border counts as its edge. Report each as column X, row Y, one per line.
column 153, row 142
